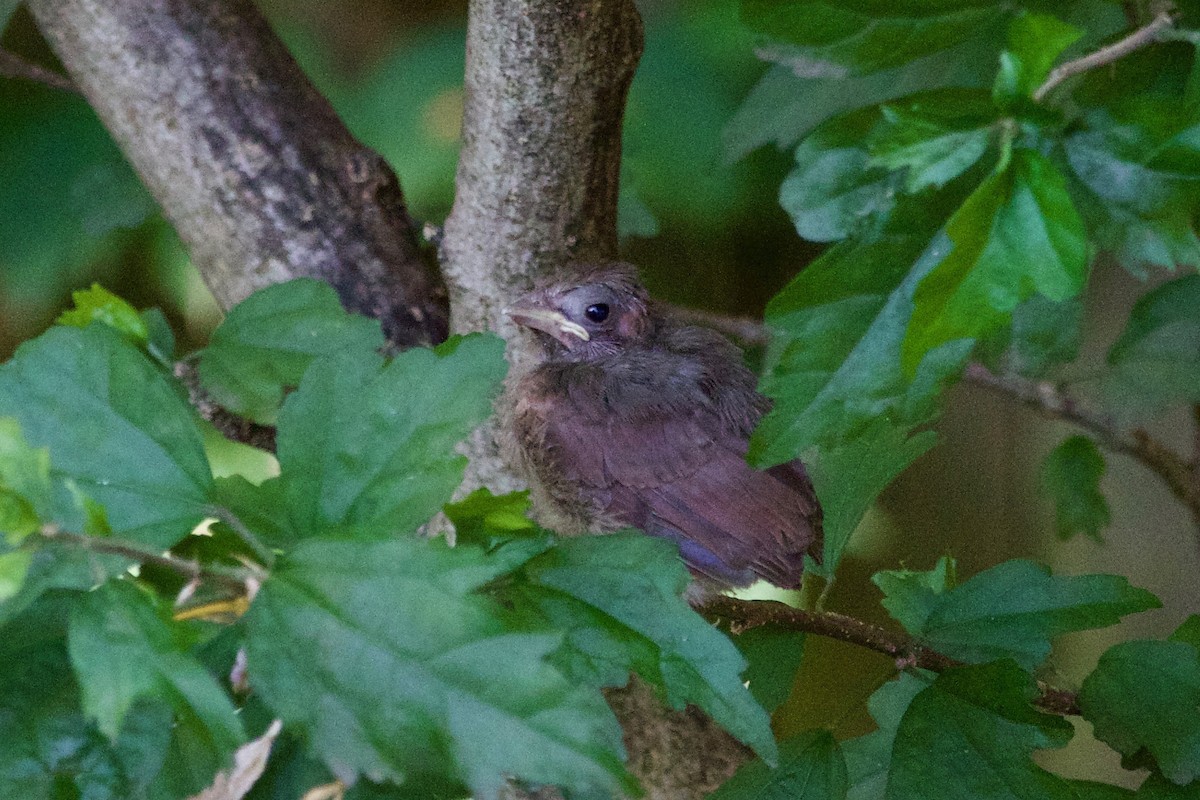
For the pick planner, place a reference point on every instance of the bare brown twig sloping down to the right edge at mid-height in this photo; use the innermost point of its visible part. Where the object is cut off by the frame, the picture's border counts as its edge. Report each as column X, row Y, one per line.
column 1046, row 398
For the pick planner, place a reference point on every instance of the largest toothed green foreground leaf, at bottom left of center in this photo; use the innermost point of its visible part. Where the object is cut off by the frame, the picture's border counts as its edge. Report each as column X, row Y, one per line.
column 415, row 673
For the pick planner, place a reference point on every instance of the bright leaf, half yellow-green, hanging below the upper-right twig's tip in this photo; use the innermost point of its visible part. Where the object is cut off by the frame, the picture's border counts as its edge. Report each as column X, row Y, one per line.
column 1017, row 236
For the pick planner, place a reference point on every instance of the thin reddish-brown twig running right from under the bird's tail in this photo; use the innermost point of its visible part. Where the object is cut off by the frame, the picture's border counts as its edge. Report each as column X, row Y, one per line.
column 746, row 615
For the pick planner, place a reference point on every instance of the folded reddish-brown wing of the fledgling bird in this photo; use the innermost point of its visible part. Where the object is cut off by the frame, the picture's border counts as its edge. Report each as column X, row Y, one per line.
column 675, row 466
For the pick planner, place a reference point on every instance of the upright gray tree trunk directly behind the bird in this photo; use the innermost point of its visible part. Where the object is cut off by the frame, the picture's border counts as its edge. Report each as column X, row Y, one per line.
column 538, row 177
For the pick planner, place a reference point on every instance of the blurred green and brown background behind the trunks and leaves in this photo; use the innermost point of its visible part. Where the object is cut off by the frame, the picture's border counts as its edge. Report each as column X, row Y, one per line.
column 707, row 231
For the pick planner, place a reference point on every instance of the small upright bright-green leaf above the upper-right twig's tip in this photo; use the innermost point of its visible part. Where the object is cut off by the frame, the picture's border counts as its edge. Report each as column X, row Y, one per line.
column 1035, row 44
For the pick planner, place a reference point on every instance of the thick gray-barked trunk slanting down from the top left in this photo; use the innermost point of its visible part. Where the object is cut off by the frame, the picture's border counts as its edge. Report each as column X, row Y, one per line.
column 249, row 163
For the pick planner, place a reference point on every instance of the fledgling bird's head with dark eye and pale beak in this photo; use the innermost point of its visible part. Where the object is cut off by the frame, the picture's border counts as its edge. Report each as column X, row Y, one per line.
column 595, row 311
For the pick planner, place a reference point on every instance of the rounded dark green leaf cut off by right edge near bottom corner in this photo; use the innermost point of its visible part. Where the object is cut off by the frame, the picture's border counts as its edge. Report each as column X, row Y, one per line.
column 1147, row 695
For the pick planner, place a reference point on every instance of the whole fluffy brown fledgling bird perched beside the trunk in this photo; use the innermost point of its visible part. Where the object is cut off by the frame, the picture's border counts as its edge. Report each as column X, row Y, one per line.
column 632, row 419
